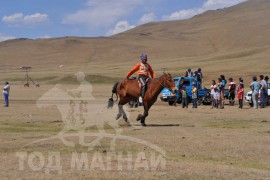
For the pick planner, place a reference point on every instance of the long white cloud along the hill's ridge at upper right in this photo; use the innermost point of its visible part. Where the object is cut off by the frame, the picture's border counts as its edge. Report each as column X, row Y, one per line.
column 208, row 5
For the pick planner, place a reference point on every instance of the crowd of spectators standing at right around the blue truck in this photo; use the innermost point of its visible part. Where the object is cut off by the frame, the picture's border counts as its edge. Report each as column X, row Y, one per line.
column 259, row 90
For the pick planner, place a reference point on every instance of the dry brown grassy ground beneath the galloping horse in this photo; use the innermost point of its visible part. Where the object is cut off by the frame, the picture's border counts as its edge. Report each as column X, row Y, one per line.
column 201, row 143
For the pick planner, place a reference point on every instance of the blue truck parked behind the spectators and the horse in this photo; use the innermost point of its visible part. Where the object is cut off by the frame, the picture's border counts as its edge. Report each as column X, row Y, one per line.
column 203, row 94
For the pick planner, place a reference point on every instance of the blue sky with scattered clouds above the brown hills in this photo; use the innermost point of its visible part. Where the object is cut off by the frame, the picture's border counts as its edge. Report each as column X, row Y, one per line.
column 92, row 18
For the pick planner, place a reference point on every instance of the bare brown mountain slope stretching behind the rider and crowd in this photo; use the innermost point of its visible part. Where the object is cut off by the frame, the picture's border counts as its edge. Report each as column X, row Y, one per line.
column 234, row 39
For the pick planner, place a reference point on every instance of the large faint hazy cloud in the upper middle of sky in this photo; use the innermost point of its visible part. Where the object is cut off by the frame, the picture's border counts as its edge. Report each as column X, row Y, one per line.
column 101, row 13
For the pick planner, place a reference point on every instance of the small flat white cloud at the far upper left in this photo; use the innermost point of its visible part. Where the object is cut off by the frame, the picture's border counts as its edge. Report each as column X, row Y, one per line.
column 20, row 19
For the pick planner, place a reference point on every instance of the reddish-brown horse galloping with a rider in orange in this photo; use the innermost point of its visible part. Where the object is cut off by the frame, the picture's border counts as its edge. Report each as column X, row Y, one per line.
column 129, row 90
